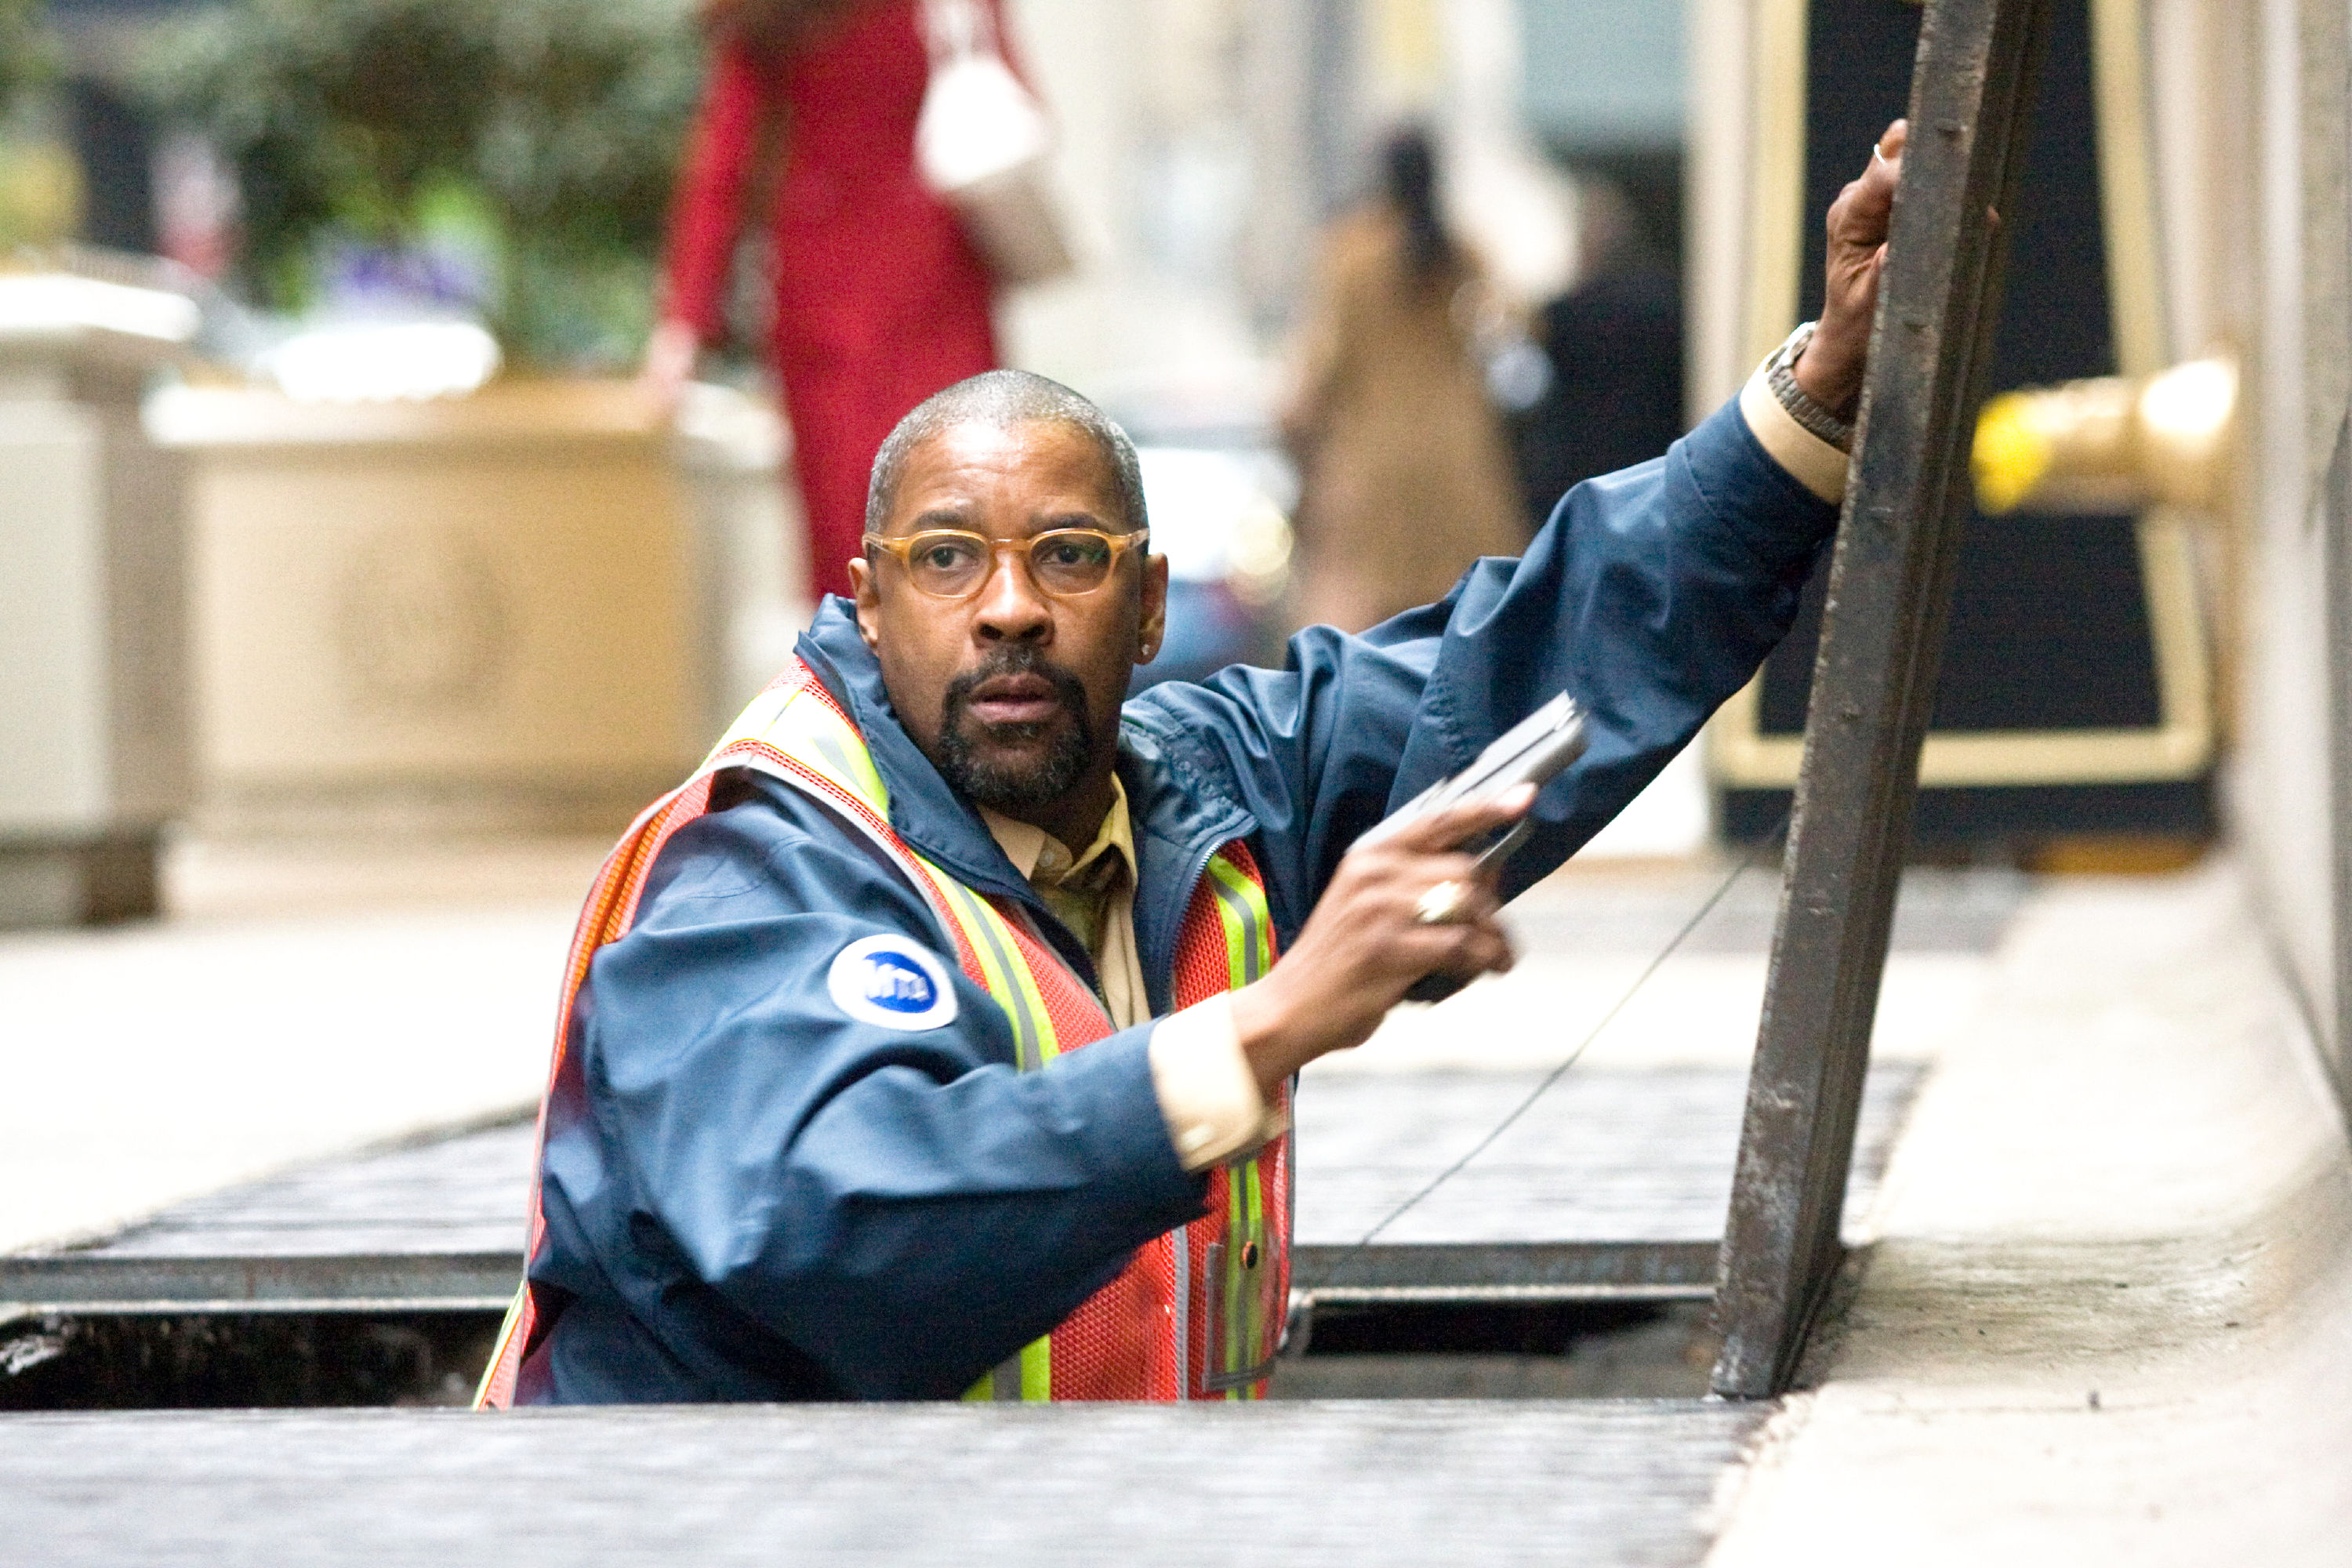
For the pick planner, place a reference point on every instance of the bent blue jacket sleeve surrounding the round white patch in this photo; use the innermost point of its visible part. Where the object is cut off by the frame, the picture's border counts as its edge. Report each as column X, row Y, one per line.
column 742, row 1155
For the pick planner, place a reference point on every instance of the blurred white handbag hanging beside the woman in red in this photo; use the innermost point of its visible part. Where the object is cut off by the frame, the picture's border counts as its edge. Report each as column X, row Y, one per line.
column 982, row 142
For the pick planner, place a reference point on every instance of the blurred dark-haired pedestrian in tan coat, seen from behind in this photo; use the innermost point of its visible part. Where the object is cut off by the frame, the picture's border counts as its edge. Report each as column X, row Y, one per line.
column 1405, row 476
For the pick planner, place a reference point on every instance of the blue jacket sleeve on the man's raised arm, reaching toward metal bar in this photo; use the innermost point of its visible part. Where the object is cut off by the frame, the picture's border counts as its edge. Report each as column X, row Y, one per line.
column 1652, row 596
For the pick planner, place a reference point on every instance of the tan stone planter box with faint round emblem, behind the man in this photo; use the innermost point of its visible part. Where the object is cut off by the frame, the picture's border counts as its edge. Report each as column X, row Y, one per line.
column 467, row 615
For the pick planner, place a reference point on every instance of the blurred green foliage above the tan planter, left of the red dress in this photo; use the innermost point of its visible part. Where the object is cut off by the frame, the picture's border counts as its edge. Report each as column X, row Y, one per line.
column 549, row 126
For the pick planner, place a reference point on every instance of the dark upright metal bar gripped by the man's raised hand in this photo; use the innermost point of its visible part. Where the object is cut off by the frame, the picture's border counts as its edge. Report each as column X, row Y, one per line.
column 1876, row 678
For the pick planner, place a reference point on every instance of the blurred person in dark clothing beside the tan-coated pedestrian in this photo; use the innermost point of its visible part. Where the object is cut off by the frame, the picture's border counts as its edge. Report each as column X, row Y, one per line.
column 1615, row 344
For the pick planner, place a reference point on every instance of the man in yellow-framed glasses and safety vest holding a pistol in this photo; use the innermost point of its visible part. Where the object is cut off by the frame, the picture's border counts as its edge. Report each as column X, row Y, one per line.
column 930, row 1043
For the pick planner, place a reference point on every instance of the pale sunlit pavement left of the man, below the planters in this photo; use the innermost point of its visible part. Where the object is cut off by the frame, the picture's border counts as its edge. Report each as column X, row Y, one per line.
column 298, row 1005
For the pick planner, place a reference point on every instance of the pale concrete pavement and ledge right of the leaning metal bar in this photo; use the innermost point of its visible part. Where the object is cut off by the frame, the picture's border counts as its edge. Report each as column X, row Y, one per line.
column 2109, row 1313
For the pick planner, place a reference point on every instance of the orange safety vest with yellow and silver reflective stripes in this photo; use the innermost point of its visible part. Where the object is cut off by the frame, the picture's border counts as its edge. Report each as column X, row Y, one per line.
column 1198, row 1313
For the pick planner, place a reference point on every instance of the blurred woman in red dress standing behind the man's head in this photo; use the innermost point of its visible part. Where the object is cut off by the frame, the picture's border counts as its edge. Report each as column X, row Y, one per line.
column 881, row 297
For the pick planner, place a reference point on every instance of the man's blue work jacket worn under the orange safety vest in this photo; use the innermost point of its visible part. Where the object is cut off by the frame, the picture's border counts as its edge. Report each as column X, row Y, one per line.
column 754, row 1195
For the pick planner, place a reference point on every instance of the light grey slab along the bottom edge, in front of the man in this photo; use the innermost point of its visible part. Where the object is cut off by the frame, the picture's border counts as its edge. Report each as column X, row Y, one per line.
column 1347, row 1482
